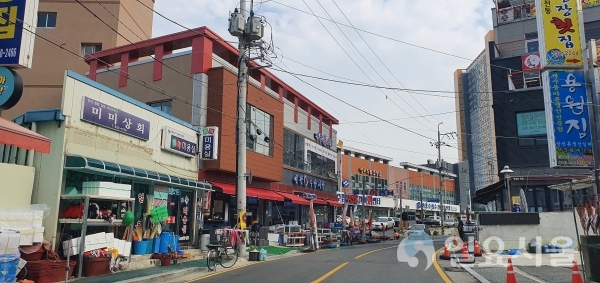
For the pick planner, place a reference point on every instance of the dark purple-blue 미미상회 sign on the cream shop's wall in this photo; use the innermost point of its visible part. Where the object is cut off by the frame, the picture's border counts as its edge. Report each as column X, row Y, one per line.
column 115, row 119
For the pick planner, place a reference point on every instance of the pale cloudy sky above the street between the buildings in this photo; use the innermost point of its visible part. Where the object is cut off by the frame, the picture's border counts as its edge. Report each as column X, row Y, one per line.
column 413, row 45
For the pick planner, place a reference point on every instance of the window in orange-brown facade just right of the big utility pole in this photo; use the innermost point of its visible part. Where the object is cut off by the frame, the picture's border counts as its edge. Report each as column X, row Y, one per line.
column 259, row 128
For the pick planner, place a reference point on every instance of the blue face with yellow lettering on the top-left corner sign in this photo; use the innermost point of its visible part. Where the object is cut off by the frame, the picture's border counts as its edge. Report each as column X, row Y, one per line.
column 11, row 31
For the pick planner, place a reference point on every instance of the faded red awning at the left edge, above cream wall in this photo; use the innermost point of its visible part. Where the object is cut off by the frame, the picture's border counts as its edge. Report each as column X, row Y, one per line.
column 21, row 137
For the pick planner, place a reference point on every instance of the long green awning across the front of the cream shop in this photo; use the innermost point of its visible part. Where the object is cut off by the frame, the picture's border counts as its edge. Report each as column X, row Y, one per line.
column 80, row 163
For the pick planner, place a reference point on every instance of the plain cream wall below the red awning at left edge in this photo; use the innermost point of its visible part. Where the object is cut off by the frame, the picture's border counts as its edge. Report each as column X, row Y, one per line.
column 17, row 182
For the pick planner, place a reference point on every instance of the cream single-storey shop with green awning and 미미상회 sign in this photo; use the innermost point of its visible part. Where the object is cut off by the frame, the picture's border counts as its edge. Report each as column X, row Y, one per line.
column 121, row 155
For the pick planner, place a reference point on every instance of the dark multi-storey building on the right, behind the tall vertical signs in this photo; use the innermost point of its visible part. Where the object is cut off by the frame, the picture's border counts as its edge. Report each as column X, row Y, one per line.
column 501, row 105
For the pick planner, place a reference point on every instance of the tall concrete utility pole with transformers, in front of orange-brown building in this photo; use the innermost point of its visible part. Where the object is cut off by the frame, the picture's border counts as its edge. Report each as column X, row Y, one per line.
column 247, row 31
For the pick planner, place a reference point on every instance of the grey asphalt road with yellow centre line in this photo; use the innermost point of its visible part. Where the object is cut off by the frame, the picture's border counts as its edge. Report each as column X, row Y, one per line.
column 359, row 263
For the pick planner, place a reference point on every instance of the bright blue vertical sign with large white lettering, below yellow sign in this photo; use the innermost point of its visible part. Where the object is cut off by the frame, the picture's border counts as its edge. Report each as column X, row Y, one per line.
column 570, row 126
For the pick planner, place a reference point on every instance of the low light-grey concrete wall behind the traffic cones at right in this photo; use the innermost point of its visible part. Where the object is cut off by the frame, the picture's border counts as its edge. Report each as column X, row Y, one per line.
column 552, row 225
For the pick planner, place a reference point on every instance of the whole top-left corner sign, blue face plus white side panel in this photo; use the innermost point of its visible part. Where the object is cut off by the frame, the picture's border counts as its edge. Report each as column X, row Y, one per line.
column 18, row 19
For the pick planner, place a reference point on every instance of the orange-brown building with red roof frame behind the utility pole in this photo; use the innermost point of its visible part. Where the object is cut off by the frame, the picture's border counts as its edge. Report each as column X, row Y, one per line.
column 290, row 138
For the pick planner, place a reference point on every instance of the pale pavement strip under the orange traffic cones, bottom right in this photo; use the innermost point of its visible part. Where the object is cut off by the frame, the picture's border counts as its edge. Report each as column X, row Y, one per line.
column 529, row 268
